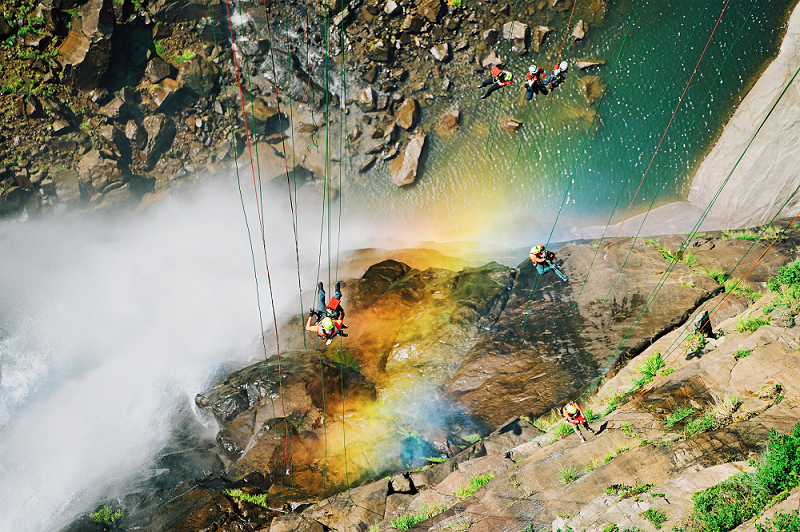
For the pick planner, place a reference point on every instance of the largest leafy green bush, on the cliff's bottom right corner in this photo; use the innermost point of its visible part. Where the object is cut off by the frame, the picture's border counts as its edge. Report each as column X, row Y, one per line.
column 728, row 504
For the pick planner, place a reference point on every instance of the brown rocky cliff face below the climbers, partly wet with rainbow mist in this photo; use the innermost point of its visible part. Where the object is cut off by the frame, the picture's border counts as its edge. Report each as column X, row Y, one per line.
column 391, row 398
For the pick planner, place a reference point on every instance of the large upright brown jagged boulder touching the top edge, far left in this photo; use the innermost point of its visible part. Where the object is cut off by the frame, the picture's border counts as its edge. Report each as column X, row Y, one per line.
column 85, row 54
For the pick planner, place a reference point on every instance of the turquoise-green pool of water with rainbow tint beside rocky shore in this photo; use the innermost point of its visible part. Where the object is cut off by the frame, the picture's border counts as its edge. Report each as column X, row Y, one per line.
column 470, row 187
